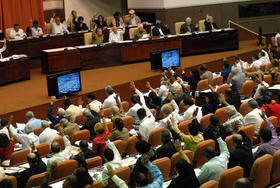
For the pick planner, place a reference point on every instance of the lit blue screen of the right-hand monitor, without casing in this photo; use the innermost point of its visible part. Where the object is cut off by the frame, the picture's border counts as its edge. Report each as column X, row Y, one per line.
column 170, row 58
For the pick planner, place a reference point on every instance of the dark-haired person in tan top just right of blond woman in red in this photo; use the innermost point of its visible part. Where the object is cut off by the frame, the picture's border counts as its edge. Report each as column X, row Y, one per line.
column 120, row 132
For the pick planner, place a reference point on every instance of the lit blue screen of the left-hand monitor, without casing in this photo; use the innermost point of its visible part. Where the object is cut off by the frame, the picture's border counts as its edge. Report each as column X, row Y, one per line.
column 69, row 83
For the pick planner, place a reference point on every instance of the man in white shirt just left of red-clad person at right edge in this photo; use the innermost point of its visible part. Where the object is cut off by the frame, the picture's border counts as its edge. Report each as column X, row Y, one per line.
column 253, row 117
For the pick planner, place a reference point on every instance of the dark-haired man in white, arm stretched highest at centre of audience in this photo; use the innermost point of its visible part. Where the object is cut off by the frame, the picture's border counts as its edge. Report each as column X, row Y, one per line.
column 147, row 120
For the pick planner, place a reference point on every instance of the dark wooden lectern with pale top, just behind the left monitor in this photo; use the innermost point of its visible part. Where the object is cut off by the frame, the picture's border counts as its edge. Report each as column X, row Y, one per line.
column 60, row 59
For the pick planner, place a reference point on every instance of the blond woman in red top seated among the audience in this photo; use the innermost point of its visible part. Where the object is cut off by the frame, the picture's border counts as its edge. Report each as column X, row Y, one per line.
column 98, row 143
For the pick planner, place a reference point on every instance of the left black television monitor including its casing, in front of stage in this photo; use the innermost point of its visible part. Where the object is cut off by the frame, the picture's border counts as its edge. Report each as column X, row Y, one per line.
column 64, row 83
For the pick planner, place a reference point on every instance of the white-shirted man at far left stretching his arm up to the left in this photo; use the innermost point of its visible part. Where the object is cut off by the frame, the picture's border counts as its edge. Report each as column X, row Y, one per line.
column 26, row 139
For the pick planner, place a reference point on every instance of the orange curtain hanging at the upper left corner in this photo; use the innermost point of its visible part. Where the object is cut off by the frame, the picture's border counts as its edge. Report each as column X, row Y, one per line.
column 21, row 12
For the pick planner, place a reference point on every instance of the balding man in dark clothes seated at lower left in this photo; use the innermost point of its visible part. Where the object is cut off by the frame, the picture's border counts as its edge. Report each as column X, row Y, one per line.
column 36, row 164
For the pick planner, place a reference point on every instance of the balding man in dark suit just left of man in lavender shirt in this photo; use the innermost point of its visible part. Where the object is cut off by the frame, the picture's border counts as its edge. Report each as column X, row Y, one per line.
column 242, row 154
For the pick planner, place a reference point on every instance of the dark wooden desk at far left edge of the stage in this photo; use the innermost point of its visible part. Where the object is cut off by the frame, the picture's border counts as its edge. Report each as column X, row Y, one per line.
column 14, row 70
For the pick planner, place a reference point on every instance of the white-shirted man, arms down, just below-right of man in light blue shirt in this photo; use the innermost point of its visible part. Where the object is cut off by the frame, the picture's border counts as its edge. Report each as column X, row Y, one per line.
column 48, row 134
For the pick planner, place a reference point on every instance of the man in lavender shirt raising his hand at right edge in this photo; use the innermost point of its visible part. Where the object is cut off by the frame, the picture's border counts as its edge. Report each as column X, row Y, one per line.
column 270, row 141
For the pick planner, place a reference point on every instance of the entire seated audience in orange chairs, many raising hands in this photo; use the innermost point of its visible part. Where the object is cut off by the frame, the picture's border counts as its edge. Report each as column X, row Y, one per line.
column 217, row 132
